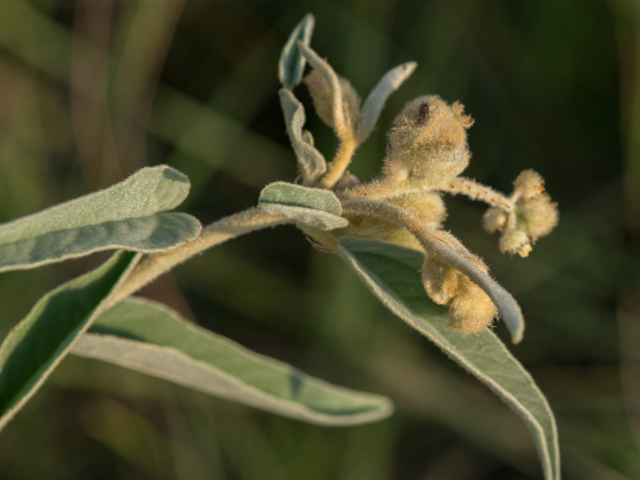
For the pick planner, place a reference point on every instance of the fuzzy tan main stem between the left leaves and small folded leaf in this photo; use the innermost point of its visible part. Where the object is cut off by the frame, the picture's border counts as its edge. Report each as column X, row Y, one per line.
column 154, row 265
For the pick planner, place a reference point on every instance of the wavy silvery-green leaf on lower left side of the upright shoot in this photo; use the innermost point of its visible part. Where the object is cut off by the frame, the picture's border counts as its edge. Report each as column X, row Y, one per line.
column 310, row 161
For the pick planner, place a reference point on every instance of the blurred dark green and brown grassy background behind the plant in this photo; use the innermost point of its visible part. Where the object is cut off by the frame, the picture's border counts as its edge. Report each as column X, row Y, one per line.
column 92, row 90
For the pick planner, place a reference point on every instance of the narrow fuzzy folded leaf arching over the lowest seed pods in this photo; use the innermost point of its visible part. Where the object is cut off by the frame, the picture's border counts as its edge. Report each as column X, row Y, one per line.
column 446, row 248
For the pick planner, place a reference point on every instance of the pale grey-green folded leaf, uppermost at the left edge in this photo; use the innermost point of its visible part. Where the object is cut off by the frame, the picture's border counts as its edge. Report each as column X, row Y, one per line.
column 124, row 216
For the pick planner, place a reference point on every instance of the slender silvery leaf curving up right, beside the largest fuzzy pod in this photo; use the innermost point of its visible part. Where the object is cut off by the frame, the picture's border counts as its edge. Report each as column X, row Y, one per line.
column 374, row 103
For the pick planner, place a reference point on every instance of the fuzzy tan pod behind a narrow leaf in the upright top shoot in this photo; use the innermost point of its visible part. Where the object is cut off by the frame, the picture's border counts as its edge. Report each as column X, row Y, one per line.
column 323, row 101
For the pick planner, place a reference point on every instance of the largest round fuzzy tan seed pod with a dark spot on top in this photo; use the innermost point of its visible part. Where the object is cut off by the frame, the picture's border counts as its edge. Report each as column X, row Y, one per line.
column 428, row 141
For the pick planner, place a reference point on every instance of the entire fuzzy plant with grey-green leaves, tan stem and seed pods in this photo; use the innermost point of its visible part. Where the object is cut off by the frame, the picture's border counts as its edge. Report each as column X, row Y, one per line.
column 389, row 231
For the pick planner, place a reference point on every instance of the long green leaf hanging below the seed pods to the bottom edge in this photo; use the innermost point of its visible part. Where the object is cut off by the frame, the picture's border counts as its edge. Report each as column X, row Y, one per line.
column 392, row 273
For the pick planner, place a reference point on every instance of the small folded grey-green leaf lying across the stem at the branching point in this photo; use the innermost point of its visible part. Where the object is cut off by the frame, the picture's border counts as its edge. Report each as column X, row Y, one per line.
column 313, row 207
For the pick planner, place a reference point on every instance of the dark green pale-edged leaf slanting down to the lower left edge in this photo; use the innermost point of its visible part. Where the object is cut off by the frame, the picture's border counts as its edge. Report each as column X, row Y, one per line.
column 40, row 341
